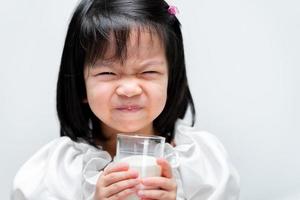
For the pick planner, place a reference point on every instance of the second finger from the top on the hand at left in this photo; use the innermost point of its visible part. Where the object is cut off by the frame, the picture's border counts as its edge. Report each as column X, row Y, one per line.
column 119, row 176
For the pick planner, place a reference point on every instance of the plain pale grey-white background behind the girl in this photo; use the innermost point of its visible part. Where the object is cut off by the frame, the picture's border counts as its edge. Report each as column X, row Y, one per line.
column 243, row 60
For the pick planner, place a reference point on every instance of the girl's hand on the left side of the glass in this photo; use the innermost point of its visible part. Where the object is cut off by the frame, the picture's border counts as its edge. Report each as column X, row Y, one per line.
column 116, row 182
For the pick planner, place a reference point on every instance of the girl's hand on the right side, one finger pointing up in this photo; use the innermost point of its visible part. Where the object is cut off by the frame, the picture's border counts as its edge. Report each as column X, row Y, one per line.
column 166, row 185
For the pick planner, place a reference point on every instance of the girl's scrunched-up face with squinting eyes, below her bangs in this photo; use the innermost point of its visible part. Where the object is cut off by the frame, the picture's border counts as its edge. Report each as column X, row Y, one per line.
column 128, row 96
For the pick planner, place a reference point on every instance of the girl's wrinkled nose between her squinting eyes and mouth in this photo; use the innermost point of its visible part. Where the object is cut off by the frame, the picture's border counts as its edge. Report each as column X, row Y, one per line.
column 129, row 88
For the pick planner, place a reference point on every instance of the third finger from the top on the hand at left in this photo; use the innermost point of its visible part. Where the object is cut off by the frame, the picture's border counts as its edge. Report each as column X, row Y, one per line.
column 118, row 187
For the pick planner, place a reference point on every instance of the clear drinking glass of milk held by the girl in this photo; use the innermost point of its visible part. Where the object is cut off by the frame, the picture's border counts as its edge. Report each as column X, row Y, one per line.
column 140, row 152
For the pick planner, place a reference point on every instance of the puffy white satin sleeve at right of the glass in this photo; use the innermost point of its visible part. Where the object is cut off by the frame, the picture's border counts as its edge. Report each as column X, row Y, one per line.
column 204, row 170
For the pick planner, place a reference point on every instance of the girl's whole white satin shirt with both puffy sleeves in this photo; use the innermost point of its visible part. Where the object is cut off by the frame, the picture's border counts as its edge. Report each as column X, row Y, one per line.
column 68, row 170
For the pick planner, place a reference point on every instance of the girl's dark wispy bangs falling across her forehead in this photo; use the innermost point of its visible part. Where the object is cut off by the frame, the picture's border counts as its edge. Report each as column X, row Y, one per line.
column 101, row 34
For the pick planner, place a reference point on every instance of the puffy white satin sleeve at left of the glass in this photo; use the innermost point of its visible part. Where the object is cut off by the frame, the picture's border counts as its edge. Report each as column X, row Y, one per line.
column 63, row 169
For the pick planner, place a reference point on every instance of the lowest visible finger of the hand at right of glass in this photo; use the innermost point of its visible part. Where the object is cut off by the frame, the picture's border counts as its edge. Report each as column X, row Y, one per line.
column 156, row 194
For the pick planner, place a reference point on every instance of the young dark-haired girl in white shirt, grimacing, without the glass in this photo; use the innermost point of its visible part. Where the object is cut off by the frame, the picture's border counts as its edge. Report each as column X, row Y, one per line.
column 123, row 71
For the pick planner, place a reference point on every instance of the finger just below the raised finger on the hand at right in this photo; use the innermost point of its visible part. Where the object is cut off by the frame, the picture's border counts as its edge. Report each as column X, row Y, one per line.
column 159, row 182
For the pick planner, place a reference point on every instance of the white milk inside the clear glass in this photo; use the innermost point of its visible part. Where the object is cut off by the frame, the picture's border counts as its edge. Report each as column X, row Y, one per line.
column 146, row 167
